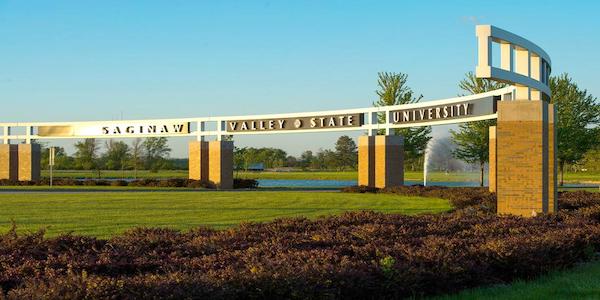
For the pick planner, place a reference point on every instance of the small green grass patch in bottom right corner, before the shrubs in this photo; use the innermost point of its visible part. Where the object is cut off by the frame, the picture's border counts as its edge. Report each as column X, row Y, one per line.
column 581, row 282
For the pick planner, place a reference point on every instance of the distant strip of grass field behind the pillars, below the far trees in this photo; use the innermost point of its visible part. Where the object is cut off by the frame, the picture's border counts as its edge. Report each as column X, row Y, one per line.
column 350, row 175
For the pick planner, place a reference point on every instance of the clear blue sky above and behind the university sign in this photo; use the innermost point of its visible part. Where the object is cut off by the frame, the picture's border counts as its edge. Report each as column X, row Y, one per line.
column 98, row 60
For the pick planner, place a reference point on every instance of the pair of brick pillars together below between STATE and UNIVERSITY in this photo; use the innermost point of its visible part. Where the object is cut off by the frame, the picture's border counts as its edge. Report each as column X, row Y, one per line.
column 381, row 161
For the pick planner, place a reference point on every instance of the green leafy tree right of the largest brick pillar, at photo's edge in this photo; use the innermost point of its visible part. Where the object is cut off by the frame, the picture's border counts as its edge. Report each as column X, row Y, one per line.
column 578, row 113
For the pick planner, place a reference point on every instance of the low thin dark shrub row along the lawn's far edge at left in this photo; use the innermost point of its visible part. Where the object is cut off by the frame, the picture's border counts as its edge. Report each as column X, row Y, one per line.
column 174, row 183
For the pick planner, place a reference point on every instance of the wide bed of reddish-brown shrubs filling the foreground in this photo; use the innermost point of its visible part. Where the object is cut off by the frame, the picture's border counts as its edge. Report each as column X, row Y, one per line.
column 359, row 255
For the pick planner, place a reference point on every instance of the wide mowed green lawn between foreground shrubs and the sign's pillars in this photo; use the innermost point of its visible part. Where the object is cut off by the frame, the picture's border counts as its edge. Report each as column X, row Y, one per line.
column 103, row 214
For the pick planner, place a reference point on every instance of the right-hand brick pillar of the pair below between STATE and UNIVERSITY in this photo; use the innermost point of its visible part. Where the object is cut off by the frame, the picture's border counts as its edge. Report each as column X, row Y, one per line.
column 389, row 161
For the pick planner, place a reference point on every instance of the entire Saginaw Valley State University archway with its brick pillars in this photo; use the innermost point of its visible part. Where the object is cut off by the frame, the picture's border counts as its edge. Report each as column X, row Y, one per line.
column 522, row 146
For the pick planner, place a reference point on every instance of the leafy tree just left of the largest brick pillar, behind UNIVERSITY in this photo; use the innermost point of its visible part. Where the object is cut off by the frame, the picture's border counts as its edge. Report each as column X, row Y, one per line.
column 473, row 138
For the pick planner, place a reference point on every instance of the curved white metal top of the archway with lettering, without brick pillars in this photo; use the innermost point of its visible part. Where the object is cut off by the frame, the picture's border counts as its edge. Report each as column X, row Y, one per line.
column 528, row 73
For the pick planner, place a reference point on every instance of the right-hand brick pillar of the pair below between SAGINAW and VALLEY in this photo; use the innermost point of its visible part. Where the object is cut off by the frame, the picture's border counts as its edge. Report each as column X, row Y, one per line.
column 220, row 164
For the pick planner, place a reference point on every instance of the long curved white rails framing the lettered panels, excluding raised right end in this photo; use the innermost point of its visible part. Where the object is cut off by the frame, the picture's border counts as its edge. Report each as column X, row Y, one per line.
column 370, row 115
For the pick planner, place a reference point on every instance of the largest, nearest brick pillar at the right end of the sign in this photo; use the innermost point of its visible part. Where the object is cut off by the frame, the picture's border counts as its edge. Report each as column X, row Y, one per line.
column 522, row 157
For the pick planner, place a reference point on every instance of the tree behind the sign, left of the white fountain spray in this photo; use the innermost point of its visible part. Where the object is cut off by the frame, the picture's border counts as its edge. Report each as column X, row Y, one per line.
column 393, row 91
